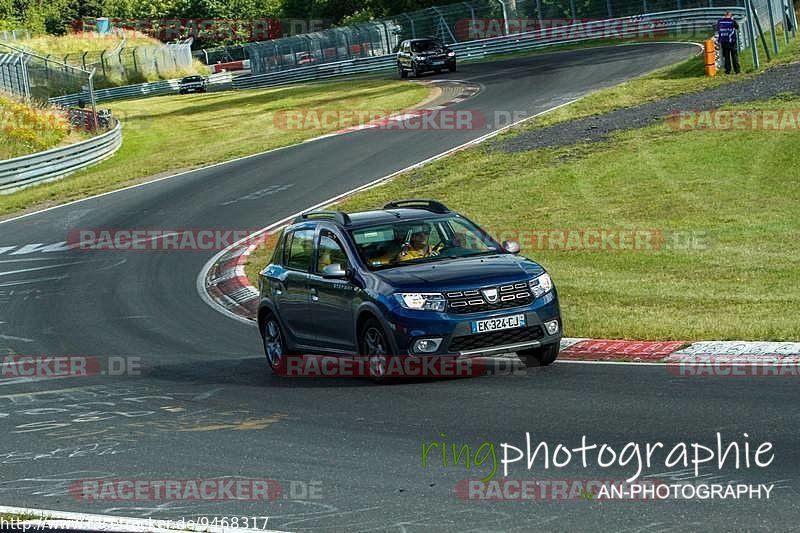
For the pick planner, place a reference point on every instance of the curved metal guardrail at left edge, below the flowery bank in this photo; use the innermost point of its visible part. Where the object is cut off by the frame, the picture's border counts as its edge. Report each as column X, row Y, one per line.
column 56, row 163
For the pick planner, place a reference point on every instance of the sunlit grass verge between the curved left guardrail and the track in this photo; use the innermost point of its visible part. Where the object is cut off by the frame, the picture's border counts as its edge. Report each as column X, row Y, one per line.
column 162, row 135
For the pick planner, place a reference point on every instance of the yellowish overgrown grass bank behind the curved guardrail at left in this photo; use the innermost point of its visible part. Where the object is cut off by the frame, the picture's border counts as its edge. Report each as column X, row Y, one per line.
column 28, row 129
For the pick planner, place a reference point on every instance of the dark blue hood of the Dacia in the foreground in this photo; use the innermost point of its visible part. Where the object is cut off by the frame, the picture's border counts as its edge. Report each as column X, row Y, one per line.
column 458, row 274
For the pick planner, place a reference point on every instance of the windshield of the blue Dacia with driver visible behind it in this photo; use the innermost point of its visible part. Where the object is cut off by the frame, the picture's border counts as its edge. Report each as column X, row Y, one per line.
column 421, row 241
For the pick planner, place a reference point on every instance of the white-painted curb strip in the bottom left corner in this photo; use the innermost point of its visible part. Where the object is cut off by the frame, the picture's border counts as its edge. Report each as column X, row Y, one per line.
column 61, row 520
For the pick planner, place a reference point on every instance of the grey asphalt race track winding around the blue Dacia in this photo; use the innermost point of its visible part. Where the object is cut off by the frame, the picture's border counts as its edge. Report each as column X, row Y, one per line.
column 205, row 405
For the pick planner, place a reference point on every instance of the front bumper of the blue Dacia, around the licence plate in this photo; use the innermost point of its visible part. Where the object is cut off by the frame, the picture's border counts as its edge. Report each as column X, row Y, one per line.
column 408, row 326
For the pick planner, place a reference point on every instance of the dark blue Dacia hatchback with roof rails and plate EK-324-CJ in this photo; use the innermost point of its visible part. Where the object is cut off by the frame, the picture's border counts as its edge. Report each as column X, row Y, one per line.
column 413, row 279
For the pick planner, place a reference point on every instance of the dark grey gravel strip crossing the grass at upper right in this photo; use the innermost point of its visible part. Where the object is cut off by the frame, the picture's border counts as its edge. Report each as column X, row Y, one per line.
column 781, row 79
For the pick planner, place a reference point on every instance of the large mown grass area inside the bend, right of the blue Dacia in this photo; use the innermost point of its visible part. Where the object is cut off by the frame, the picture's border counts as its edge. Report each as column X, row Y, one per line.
column 733, row 193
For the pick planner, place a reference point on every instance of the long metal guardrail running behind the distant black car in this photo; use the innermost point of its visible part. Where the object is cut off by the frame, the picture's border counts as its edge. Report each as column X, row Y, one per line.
column 649, row 24
